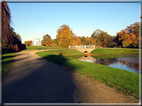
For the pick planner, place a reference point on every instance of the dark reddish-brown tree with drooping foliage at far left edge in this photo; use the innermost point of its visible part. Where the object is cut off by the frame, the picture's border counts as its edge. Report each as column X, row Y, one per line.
column 9, row 41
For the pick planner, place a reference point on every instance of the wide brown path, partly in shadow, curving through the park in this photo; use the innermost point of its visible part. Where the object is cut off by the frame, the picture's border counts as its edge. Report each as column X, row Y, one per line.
column 33, row 79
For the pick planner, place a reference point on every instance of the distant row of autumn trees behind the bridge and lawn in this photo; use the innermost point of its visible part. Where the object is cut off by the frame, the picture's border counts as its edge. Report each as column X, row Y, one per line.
column 128, row 37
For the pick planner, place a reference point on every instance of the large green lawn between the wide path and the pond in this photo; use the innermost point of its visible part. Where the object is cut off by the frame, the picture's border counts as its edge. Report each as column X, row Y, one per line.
column 122, row 80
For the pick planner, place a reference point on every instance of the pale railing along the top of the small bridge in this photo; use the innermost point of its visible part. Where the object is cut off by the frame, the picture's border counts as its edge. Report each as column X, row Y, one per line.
column 82, row 47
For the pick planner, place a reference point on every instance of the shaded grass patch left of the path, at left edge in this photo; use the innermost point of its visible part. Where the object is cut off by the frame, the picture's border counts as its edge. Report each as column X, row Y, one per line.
column 7, row 62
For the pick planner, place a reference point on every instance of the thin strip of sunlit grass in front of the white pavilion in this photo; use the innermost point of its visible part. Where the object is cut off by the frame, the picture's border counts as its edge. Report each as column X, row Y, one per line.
column 41, row 47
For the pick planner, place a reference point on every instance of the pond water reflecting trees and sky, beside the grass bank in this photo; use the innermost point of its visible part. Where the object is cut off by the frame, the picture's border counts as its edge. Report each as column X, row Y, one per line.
column 126, row 63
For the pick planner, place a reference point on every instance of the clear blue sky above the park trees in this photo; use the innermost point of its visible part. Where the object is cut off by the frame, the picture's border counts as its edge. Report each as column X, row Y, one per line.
column 34, row 20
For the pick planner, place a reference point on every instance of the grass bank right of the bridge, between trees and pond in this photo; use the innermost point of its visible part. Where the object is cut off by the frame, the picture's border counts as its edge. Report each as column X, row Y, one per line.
column 115, row 51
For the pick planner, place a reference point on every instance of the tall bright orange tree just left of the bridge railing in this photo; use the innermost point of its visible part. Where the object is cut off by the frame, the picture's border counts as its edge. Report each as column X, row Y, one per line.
column 64, row 37
